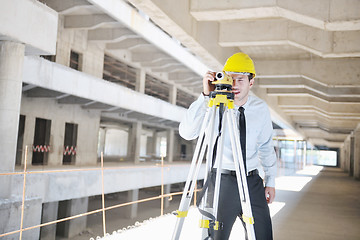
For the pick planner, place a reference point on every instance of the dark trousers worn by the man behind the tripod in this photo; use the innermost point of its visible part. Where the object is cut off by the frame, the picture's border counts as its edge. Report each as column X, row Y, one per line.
column 230, row 207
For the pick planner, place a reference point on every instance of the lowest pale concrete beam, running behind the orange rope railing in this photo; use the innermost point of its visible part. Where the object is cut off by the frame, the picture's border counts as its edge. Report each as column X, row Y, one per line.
column 74, row 185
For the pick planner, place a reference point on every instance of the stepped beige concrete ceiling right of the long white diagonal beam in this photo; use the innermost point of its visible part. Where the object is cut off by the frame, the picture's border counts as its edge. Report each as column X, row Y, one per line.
column 306, row 54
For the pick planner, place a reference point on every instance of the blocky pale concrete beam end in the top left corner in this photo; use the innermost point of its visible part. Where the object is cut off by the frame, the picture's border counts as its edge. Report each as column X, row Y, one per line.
column 16, row 16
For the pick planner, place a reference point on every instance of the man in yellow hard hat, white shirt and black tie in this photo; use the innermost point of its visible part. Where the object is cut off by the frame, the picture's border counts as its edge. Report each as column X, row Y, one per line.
column 259, row 151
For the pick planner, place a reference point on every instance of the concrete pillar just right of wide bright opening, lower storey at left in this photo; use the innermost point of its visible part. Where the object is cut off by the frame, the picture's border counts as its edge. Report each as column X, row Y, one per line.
column 134, row 142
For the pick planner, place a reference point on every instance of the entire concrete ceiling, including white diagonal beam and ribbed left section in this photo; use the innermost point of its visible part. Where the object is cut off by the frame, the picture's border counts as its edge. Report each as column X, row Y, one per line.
column 306, row 53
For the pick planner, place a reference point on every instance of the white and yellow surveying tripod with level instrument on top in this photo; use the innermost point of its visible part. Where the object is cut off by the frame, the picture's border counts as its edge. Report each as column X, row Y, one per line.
column 221, row 102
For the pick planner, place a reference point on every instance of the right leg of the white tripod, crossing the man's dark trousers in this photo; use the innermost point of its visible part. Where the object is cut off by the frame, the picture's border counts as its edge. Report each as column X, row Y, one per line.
column 241, row 177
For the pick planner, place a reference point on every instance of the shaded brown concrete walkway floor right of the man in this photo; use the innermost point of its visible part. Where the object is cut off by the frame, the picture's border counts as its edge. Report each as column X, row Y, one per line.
column 328, row 207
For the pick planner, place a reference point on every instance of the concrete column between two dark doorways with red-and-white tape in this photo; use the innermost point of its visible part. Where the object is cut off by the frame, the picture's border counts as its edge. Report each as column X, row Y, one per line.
column 56, row 142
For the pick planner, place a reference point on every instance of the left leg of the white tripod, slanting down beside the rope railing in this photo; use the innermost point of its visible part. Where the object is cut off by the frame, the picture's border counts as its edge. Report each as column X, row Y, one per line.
column 200, row 148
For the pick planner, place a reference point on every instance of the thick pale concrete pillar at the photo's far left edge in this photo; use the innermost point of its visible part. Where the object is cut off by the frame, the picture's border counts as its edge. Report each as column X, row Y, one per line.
column 11, row 70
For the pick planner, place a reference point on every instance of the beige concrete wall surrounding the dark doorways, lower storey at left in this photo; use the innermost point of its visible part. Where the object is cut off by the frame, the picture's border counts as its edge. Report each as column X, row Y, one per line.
column 88, row 128
